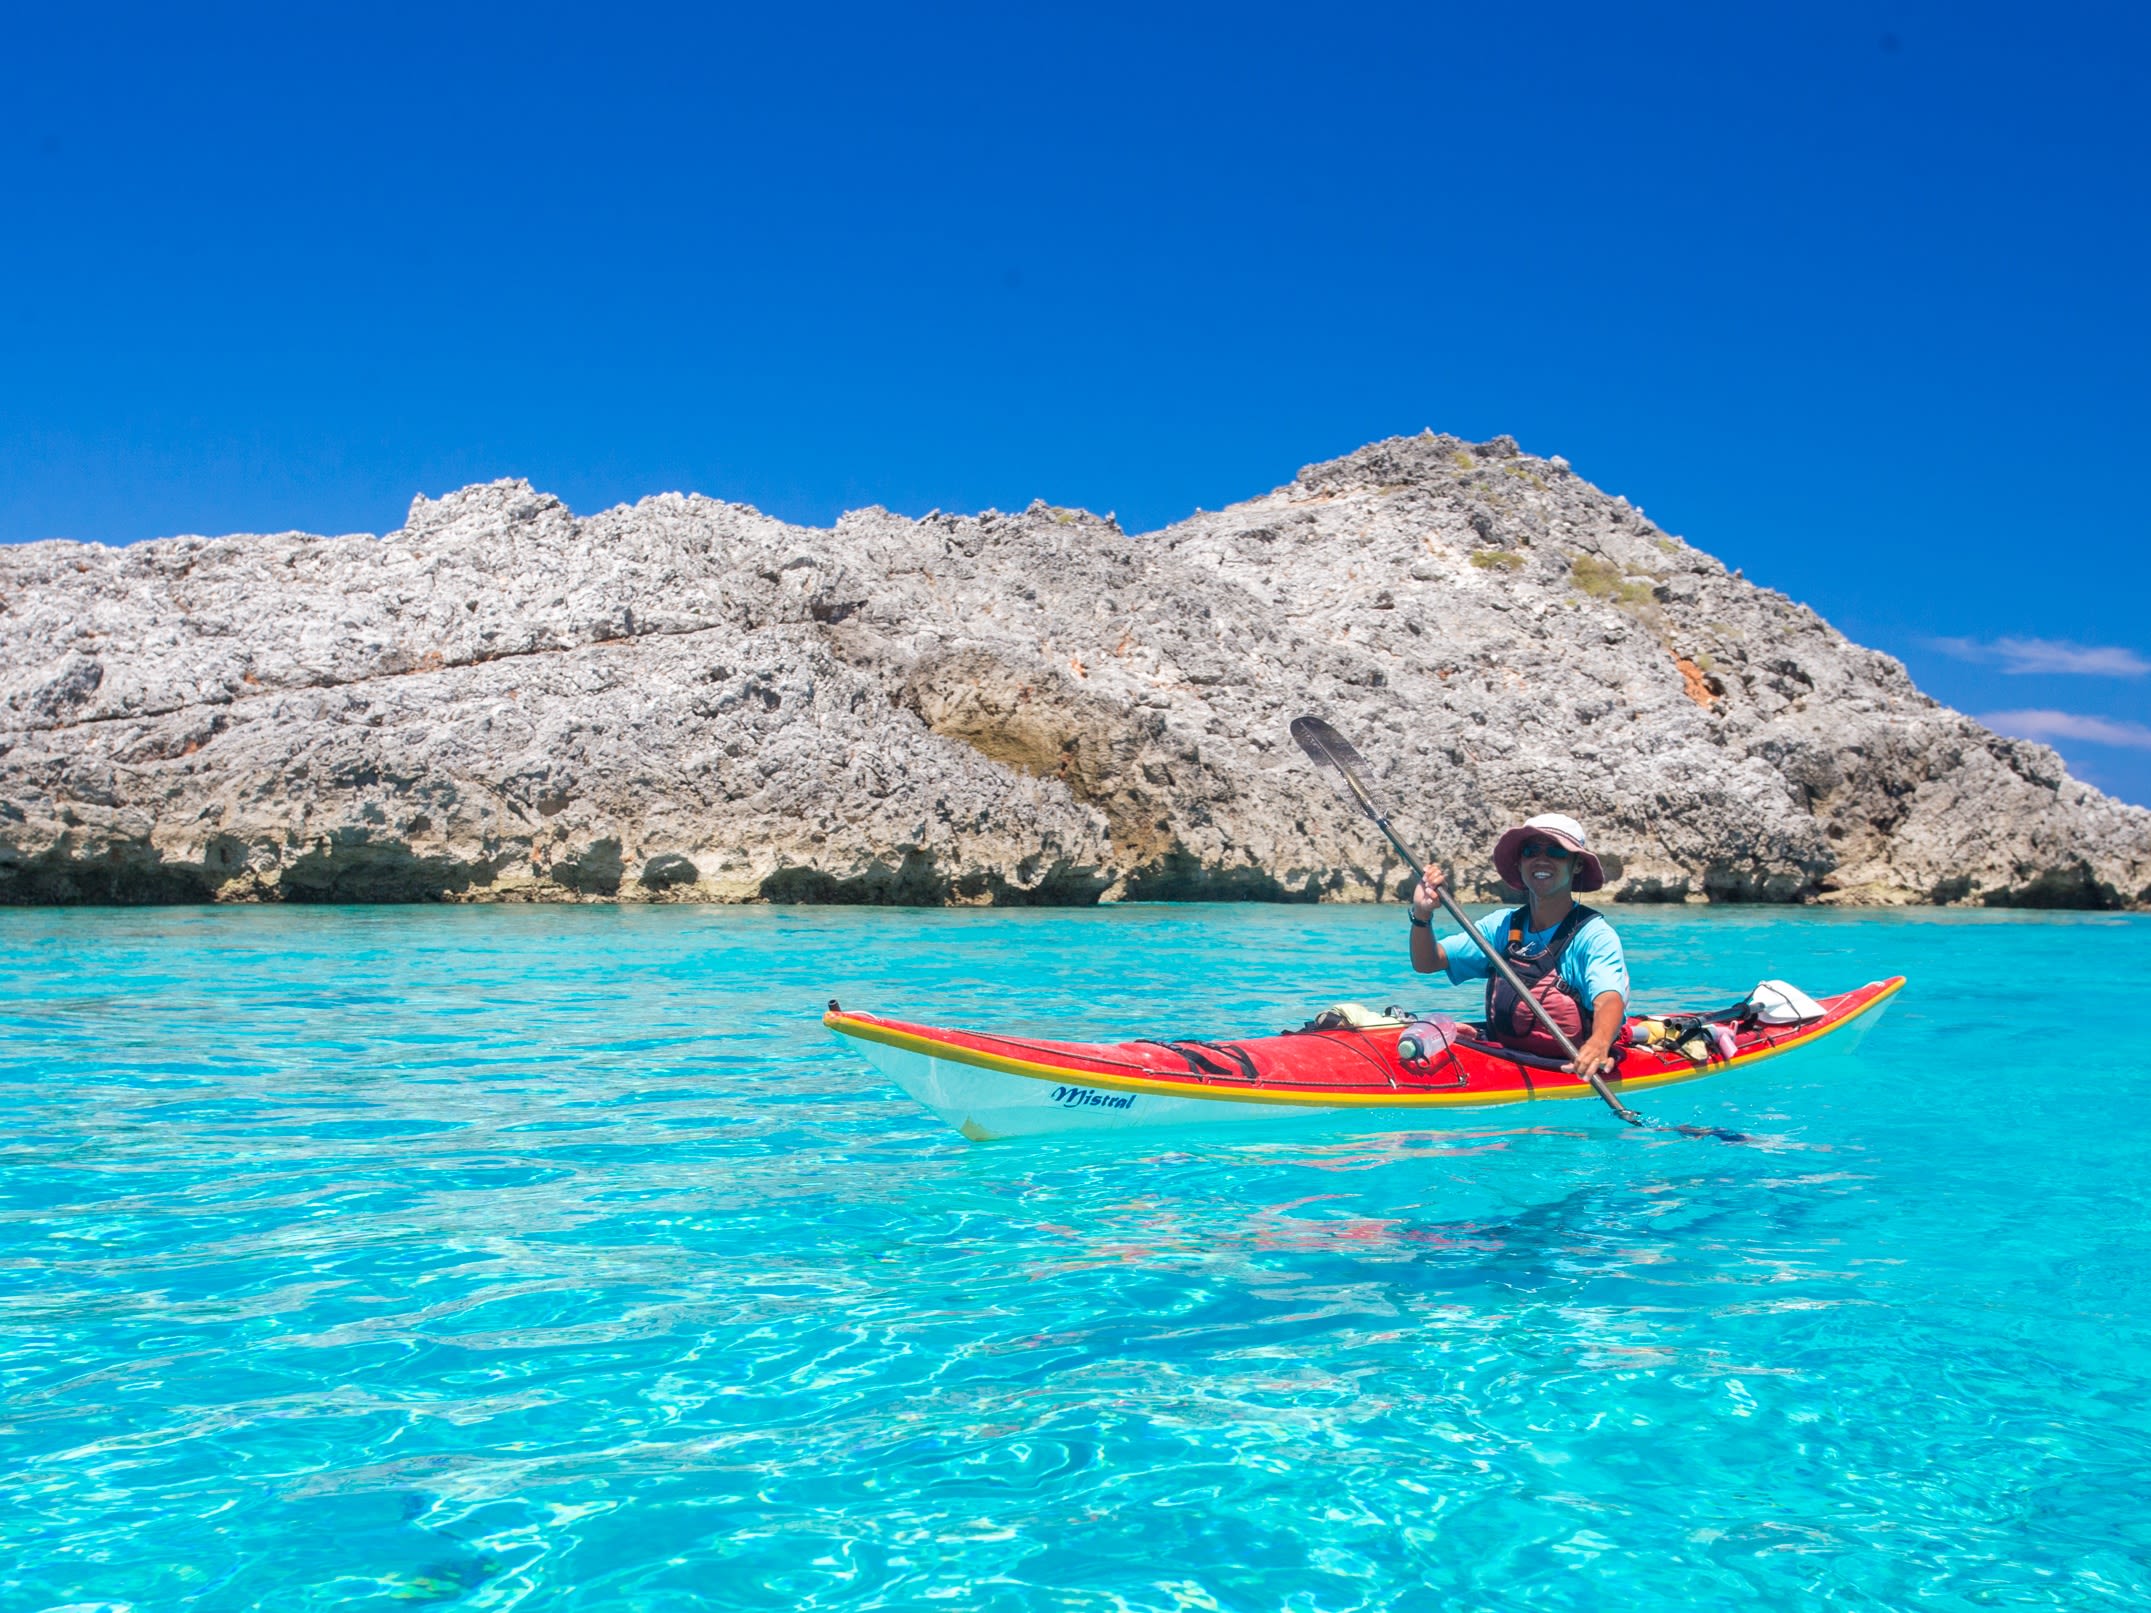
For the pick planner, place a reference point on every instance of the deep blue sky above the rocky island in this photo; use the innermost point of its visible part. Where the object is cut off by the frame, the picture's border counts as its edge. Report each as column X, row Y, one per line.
column 1853, row 296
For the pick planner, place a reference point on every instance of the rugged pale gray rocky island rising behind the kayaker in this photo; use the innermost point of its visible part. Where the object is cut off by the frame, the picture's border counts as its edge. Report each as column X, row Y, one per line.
column 692, row 702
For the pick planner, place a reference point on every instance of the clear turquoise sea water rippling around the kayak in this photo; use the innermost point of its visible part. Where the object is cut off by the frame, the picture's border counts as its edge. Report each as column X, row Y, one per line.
column 558, row 1259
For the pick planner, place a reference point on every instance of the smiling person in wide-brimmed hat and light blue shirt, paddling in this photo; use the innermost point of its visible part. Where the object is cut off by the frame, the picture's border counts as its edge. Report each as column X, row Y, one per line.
column 1563, row 952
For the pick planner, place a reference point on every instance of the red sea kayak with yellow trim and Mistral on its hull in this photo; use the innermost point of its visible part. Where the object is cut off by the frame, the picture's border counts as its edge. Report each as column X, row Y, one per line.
column 1008, row 1087
